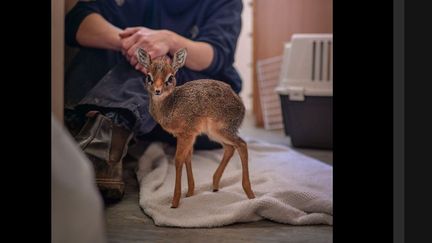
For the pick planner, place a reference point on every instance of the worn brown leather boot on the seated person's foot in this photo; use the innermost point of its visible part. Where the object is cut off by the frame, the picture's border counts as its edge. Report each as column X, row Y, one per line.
column 105, row 144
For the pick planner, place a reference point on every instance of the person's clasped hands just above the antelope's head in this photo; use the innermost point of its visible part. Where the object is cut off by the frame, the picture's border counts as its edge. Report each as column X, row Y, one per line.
column 155, row 42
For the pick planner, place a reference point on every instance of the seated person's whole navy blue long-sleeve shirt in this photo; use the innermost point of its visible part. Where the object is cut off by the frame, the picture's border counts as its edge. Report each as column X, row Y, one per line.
column 217, row 22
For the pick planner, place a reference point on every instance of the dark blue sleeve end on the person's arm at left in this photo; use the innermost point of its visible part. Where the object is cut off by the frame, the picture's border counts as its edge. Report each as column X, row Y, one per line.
column 74, row 18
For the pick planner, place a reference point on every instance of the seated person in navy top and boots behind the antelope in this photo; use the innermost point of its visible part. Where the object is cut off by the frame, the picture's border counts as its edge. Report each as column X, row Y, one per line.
column 106, row 104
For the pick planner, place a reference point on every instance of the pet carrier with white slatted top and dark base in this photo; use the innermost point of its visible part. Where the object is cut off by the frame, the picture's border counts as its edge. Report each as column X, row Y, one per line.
column 306, row 90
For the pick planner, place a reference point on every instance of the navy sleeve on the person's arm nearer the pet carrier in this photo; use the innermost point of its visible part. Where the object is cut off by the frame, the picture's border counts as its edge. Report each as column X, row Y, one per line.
column 221, row 30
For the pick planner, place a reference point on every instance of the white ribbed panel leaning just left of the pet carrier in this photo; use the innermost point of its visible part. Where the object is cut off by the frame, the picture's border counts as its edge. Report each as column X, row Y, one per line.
column 268, row 72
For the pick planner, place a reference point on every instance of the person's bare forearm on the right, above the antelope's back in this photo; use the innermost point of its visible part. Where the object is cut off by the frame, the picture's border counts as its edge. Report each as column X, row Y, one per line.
column 200, row 54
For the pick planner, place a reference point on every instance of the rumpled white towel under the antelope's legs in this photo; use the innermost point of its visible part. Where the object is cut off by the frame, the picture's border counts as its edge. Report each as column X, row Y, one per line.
column 289, row 187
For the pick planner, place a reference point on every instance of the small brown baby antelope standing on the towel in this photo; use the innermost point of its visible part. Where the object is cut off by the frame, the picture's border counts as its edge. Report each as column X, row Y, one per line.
column 200, row 106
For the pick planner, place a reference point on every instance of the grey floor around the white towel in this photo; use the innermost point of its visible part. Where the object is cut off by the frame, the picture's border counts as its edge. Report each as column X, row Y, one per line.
column 126, row 222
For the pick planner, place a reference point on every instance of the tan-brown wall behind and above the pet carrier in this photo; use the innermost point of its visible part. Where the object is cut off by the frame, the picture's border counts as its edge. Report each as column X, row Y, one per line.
column 274, row 22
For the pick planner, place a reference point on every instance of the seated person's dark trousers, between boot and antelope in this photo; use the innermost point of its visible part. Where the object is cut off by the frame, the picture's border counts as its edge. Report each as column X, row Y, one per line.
column 119, row 94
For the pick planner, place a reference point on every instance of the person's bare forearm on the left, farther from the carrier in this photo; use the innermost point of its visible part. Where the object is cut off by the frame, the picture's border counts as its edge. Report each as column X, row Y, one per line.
column 94, row 31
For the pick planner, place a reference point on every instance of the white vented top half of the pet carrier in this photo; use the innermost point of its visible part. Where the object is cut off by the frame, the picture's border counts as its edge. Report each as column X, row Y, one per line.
column 307, row 67
